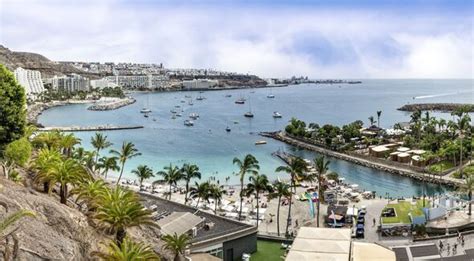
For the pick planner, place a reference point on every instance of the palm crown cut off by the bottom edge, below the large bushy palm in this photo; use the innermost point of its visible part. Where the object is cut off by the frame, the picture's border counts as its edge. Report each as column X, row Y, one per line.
column 128, row 250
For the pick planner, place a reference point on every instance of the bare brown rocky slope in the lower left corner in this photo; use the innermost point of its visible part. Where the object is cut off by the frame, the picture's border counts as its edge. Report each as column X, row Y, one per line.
column 57, row 233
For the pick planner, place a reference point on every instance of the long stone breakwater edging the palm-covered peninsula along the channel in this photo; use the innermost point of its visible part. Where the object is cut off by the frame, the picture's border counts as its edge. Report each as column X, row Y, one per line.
column 363, row 162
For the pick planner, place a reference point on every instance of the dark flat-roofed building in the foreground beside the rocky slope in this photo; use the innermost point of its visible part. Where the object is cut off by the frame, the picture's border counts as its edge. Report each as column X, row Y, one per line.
column 221, row 237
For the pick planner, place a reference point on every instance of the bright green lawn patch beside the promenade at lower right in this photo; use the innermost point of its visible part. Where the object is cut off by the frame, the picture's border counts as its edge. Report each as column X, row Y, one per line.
column 402, row 209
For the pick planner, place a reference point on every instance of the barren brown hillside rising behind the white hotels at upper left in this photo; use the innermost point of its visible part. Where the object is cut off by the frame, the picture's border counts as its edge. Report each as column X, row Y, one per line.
column 34, row 61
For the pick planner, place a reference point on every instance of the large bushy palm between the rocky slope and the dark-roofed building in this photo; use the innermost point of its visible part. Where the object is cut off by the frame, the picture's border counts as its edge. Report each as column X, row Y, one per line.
column 119, row 209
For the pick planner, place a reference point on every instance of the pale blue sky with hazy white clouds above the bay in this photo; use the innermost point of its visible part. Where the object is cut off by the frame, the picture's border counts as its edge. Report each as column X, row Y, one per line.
column 319, row 39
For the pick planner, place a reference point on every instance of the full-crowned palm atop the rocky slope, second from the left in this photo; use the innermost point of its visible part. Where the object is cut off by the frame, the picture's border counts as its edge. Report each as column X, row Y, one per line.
column 66, row 172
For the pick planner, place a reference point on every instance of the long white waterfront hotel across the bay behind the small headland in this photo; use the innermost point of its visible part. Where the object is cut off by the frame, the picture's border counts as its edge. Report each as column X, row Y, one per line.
column 149, row 81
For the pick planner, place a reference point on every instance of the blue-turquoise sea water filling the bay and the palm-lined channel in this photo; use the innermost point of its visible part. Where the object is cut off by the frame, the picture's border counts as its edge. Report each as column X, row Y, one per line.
column 212, row 148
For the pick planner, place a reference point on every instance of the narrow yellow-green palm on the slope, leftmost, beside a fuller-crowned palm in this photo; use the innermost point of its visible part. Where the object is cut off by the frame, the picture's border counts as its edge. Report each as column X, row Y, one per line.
column 44, row 161
